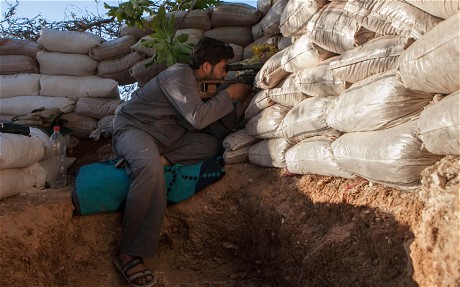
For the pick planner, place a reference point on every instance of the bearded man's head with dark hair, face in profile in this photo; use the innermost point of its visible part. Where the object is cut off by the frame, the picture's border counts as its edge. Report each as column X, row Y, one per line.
column 210, row 57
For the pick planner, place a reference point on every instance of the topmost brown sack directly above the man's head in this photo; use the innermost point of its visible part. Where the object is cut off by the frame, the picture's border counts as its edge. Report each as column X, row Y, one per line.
column 234, row 15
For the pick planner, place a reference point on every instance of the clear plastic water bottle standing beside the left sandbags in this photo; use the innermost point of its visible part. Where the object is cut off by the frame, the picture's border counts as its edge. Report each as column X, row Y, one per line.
column 58, row 174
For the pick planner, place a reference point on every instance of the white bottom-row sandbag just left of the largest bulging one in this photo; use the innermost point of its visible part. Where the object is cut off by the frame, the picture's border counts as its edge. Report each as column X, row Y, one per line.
column 314, row 156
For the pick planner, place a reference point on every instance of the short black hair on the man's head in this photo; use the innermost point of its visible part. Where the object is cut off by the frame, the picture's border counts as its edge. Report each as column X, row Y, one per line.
column 210, row 50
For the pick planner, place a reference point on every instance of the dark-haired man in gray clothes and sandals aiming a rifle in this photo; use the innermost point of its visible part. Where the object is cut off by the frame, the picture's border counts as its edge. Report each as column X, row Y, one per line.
column 167, row 119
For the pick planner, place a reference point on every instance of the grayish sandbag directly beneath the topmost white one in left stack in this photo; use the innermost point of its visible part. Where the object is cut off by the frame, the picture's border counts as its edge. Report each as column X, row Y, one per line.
column 56, row 63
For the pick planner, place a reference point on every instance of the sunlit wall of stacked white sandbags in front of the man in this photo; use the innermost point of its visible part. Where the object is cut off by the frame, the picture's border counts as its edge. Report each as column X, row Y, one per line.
column 367, row 88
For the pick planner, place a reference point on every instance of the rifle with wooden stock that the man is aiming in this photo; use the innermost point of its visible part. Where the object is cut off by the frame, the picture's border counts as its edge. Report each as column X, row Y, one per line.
column 210, row 88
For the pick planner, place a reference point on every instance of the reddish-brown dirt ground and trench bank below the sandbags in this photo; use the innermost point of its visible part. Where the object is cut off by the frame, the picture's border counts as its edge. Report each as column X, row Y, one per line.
column 255, row 227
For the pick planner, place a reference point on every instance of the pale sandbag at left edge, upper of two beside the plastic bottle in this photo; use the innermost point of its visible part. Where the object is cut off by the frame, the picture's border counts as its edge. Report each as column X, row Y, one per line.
column 18, row 151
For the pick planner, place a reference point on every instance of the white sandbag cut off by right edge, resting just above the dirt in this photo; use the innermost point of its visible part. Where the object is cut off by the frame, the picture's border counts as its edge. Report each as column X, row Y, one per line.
column 439, row 126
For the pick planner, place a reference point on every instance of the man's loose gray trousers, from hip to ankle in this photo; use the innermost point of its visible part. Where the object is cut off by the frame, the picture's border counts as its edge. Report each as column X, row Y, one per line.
column 146, row 201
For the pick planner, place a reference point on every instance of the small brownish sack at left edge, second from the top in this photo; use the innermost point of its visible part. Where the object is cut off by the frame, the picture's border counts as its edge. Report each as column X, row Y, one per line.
column 13, row 64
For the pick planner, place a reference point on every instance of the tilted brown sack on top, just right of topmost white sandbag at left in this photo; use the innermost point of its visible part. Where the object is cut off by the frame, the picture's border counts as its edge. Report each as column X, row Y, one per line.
column 113, row 49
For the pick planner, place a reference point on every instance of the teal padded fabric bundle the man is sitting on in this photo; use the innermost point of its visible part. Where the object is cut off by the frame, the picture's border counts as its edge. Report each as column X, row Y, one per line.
column 101, row 187
